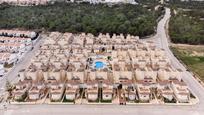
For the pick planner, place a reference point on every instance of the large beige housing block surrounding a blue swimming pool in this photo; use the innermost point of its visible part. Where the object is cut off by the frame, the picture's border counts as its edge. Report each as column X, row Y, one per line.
column 83, row 69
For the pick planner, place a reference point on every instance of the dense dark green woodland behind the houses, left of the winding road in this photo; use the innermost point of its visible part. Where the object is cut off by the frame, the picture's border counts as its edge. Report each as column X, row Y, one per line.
column 72, row 17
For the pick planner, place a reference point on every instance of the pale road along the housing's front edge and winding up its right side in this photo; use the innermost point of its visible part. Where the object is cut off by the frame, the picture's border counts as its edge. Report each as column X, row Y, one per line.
column 162, row 42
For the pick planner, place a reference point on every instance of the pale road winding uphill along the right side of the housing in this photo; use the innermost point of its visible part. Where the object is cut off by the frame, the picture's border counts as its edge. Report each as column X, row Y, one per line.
column 162, row 42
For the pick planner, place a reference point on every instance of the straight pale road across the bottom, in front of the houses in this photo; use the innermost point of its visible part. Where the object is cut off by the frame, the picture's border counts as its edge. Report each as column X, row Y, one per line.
column 100, row 110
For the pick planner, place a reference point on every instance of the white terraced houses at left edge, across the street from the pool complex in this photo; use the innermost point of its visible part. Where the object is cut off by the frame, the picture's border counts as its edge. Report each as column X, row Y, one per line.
column 13, row 46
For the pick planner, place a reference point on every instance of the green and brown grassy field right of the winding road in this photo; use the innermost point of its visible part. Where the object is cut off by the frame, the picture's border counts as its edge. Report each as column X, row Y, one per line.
column 193, row 57
